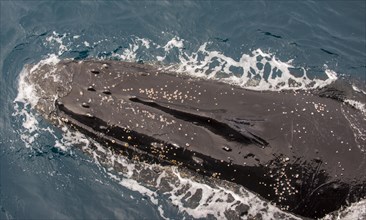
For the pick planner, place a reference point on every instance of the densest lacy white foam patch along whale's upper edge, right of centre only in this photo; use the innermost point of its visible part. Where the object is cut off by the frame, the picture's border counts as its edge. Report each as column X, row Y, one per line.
column 259, row 70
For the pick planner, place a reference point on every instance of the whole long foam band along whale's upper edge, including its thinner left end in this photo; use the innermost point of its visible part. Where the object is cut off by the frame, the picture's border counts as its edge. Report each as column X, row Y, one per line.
column 259, row 70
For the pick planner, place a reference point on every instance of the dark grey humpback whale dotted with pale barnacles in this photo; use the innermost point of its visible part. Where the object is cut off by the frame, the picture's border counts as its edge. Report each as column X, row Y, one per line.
column 297, row 149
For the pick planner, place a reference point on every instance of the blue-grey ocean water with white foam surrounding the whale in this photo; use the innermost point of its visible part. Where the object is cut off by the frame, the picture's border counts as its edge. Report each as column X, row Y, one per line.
column 47, row 173
